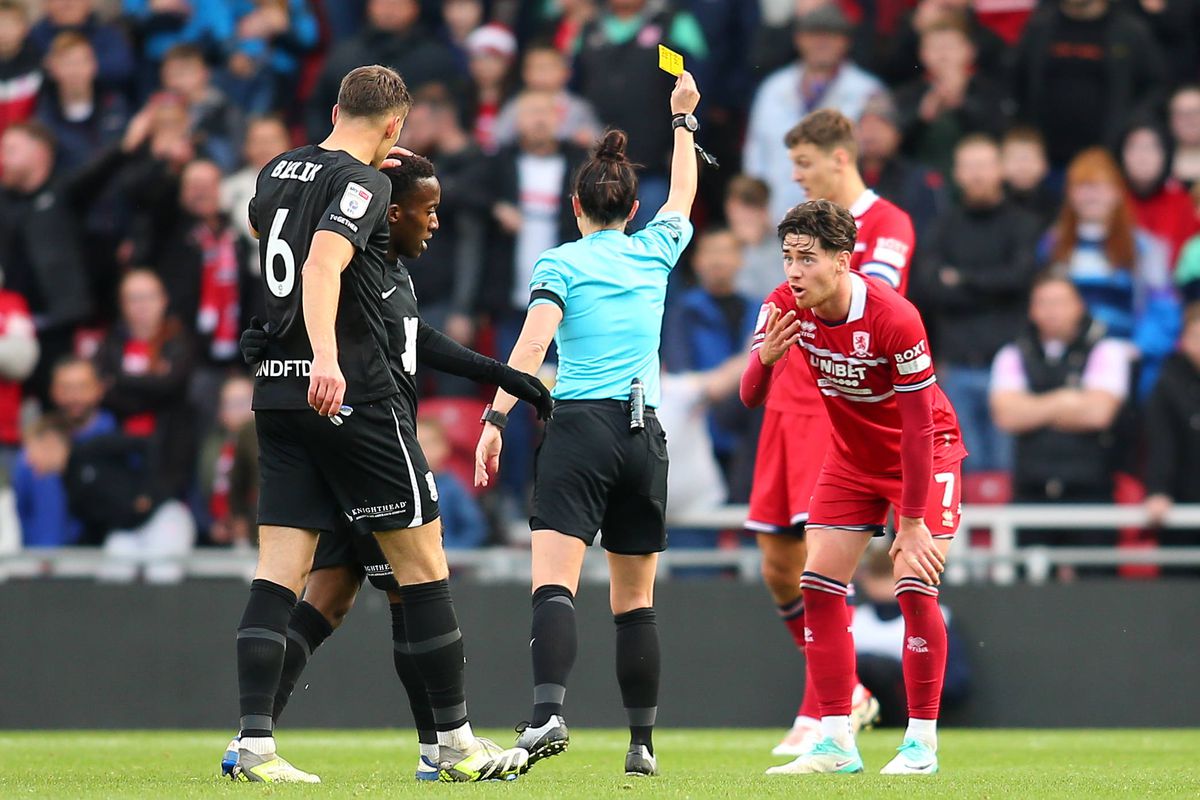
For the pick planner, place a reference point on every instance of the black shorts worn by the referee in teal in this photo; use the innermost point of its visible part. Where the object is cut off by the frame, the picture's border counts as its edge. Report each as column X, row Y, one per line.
column 593, row 474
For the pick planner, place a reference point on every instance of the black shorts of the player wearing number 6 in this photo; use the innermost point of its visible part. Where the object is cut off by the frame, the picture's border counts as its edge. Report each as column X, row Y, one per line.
column 369, row 471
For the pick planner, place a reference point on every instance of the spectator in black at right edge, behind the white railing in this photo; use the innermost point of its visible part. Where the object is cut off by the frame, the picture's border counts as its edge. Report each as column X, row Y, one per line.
column 1173, row 437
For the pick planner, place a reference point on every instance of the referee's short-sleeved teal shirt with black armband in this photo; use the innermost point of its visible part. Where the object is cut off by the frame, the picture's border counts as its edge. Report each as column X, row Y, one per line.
column 611, row 288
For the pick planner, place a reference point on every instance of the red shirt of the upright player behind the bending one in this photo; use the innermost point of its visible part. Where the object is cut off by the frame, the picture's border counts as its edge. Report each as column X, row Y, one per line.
column 884, row 249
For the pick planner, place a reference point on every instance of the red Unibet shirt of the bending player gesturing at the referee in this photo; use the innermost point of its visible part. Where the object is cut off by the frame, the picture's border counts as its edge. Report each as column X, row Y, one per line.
column 861, row 364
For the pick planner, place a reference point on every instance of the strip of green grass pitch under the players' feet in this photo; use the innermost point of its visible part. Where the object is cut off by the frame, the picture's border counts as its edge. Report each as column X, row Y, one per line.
column 976, row 765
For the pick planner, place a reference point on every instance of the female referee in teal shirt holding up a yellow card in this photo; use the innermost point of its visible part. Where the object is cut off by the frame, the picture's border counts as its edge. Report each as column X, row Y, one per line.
column 603, row 464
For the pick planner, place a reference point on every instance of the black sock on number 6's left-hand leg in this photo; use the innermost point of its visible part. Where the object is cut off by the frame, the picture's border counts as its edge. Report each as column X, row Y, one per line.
column 262, row 641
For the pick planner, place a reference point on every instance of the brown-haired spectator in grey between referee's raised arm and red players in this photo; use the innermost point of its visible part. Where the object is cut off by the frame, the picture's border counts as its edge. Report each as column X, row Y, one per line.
column 748, row 213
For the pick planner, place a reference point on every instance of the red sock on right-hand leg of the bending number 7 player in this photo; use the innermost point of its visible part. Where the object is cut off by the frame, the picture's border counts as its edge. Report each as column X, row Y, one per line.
column 925, row 649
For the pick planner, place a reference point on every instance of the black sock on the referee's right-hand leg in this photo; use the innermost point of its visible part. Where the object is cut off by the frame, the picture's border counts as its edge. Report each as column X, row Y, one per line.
column 639, row 666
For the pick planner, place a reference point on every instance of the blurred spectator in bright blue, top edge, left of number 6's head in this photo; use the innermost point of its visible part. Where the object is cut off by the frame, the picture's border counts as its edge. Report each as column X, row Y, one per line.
column 271, row 40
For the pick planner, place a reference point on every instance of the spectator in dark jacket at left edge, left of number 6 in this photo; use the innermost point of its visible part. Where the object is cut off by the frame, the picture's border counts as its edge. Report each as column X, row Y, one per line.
column 41, row 243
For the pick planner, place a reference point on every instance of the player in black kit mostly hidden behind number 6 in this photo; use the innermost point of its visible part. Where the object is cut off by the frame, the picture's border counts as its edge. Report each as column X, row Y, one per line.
column 344, row 558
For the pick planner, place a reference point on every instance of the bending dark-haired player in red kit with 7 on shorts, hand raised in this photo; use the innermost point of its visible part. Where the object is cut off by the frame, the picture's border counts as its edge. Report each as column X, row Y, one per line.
column 896, row 446
